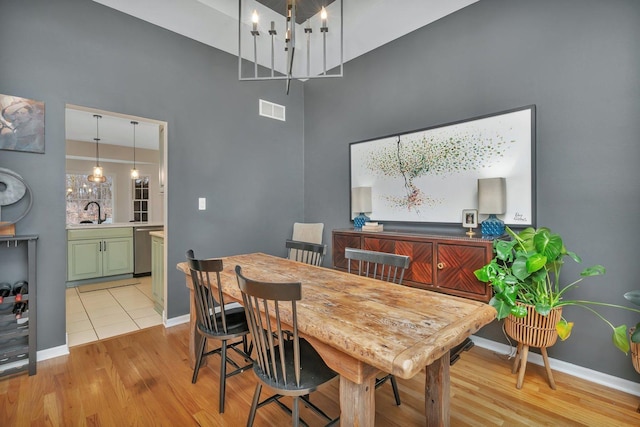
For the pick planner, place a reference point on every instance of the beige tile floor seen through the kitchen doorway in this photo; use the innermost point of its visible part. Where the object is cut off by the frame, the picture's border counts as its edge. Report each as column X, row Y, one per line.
column 95, row 315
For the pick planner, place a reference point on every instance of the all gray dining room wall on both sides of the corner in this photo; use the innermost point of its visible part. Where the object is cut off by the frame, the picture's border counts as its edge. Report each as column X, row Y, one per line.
column 576, row 60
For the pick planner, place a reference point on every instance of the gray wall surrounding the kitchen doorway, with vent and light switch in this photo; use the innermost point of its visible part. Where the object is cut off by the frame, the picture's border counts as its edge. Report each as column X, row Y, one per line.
column 249, row 168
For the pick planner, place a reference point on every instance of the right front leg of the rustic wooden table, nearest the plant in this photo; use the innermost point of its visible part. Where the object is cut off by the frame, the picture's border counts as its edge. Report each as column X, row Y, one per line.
column 437, row 392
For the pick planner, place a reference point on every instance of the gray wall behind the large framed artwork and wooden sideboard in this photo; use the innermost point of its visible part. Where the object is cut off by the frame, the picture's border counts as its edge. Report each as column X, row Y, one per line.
column 579, row 62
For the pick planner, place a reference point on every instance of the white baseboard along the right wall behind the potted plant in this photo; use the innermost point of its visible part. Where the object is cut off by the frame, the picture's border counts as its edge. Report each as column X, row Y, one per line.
column 568, row 368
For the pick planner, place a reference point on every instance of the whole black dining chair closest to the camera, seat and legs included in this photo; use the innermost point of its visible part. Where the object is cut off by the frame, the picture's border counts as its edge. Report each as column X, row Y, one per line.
column 290, row 367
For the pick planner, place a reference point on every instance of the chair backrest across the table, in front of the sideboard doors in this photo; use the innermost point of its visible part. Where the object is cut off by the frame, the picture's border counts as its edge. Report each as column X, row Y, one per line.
column 379, row 265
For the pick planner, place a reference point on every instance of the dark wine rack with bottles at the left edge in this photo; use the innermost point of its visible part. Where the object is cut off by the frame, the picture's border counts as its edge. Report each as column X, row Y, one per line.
column 18, row 337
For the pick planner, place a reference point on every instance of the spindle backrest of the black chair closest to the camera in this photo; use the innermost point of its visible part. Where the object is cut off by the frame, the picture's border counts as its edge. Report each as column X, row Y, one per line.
column 271, row 353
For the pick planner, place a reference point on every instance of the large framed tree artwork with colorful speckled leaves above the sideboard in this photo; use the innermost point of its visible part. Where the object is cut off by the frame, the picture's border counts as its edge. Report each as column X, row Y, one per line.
column 430, row 175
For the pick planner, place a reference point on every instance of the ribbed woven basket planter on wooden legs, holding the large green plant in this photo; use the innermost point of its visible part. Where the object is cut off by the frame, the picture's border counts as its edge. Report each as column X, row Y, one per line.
column 534, row 329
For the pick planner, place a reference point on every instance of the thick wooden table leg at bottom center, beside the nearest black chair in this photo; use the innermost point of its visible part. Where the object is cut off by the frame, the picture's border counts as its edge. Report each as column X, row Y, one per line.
column 357, row 402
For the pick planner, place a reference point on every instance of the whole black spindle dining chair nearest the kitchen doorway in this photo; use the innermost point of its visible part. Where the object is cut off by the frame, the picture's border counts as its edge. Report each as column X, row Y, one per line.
column 217, row 321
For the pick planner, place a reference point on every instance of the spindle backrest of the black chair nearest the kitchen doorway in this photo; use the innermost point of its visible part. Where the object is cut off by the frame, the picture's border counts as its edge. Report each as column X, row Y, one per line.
column 205, row 274
